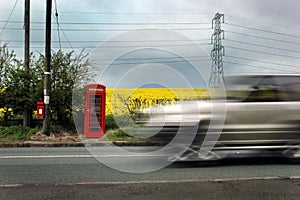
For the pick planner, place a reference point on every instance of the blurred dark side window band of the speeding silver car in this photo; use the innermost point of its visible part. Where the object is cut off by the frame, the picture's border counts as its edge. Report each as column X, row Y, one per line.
column 269, row 88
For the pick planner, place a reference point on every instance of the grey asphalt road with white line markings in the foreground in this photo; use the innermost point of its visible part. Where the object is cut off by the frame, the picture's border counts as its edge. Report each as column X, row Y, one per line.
column 73, row 173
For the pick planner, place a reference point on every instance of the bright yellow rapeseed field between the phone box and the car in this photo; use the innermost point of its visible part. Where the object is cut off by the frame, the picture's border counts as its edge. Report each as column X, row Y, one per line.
column 121, row 101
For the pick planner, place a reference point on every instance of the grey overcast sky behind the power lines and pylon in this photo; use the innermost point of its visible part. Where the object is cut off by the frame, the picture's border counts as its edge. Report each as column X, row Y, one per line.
column 261, row 36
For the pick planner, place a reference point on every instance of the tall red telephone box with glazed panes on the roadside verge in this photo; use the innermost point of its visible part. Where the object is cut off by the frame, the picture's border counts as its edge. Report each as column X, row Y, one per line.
column 94, row 117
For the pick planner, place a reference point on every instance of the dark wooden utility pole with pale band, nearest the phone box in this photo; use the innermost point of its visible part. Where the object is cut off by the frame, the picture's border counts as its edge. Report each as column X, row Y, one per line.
column 47, row 71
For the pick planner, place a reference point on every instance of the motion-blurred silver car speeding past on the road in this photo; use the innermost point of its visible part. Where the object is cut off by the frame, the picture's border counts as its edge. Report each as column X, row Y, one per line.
column 261, row 118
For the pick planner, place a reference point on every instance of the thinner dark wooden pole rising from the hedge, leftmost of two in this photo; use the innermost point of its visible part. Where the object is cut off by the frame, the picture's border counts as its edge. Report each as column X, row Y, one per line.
column 27, row 115
